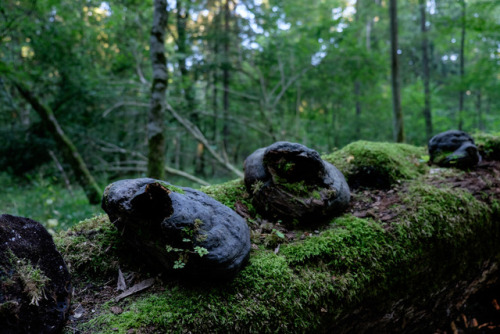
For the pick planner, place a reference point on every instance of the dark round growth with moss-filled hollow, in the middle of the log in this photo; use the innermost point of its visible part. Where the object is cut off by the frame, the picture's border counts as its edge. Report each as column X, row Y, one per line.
column 291, row 182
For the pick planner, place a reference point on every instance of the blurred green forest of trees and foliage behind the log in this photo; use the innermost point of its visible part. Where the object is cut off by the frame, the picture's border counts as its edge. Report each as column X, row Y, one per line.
column 238, row 75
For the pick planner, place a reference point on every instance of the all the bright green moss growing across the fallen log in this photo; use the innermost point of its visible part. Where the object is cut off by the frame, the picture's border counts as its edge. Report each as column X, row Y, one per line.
column 439, row 234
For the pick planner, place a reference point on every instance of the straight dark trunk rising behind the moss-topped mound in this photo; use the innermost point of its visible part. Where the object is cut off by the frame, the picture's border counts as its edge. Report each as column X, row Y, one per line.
column 398, row 127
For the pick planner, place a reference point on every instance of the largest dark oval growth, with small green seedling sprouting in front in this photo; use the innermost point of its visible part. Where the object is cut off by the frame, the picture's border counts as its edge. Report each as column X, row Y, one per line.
column 179, row 230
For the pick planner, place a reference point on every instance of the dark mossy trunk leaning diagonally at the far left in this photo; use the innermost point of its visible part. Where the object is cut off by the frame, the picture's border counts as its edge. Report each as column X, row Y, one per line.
column 68, row 149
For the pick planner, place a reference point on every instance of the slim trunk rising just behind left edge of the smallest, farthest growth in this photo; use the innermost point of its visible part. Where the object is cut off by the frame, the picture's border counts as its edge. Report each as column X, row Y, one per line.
column 425, row 71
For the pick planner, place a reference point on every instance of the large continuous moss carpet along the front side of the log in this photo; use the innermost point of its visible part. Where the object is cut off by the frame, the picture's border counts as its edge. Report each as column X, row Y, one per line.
column 311, row 284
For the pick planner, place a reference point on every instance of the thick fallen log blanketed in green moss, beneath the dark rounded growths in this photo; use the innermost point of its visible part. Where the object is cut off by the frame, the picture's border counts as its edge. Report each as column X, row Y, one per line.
column 410, row 273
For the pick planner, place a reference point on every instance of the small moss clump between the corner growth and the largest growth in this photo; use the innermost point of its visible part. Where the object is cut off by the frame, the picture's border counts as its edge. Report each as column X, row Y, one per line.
column 89, row 247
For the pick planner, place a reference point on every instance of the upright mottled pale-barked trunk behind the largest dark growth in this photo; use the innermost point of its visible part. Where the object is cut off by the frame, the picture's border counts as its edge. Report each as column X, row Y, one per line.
column 156, row 119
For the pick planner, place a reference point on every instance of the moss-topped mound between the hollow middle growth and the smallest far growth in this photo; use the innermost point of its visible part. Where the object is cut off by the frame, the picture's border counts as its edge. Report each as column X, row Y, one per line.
column 374, row 164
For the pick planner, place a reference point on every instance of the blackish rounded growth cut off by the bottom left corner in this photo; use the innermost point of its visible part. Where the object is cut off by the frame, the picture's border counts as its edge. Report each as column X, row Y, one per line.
column 35, row 286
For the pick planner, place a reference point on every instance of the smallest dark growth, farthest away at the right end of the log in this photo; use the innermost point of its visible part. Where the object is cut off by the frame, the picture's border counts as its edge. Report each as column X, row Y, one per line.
column 453, row 148
